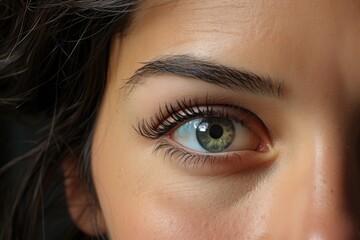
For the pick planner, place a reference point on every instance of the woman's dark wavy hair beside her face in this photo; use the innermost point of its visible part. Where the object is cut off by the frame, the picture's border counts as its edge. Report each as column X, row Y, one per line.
column 53, row 59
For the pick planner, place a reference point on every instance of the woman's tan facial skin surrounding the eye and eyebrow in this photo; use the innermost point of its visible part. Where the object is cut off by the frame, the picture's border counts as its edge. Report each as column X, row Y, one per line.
column 304, row 185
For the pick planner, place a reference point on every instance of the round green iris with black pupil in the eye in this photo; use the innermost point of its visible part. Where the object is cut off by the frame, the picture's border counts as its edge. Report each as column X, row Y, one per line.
column 215, row 134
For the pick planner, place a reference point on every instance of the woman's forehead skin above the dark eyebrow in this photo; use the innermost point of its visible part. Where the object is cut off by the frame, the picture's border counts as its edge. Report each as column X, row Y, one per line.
column 314, row 39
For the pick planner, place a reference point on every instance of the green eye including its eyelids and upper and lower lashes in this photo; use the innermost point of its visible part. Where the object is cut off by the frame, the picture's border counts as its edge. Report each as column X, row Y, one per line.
column 209, row 138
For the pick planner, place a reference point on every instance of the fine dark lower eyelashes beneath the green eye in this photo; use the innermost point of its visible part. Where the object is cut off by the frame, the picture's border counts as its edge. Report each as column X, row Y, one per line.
column 189, row 159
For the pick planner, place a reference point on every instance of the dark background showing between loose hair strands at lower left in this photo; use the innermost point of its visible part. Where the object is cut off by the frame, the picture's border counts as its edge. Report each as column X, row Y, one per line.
column 18, row 134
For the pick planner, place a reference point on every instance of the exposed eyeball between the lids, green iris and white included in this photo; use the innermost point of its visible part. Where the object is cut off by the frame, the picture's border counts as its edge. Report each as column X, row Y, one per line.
column 215, row 135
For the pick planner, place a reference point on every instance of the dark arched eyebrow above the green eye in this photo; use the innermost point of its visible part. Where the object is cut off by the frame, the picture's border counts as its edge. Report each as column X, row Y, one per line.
column 209, row 72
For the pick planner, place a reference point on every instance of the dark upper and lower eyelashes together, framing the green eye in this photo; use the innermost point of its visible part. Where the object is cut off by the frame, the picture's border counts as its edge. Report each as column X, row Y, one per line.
column 171, row 116
